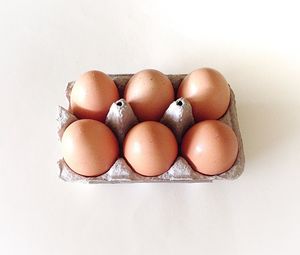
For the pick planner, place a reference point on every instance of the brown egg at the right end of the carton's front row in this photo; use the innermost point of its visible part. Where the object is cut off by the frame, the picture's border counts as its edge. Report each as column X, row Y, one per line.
column 210, row 147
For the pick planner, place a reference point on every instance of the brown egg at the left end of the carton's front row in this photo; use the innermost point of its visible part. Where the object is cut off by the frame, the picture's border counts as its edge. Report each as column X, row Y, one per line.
column 89, row 147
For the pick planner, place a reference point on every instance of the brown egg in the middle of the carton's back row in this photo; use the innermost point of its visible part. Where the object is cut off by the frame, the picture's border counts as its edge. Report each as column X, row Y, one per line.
column 149, row 93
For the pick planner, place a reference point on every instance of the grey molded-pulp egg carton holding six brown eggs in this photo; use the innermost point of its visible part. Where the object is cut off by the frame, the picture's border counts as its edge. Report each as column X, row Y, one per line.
column 178, row 117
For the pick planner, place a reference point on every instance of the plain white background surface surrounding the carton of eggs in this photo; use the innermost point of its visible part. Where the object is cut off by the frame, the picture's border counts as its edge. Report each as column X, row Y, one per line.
column 44, row 44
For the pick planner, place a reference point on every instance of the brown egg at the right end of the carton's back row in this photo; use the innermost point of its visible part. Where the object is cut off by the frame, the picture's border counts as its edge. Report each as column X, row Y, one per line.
column 207, row 91
